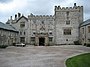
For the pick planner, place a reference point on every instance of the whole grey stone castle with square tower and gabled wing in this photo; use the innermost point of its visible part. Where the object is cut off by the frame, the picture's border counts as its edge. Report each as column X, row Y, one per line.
column 60, row 28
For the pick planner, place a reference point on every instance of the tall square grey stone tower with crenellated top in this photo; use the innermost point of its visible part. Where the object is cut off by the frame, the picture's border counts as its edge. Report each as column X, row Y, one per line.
column 67, row 21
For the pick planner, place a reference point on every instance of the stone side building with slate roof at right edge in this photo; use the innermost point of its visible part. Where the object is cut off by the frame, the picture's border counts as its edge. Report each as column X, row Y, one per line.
column 85, row 32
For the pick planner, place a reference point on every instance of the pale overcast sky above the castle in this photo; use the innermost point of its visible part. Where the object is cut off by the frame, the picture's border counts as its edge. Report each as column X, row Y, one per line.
column 38, row 7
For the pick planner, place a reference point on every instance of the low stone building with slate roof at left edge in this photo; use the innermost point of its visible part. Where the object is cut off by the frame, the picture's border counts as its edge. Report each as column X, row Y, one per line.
column 8, row 34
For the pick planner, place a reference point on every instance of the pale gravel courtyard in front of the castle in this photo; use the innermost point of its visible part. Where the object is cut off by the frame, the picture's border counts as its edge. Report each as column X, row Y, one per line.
column 39, row 56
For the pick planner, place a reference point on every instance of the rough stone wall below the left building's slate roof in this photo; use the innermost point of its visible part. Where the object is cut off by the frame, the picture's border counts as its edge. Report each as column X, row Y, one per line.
column 7, row 37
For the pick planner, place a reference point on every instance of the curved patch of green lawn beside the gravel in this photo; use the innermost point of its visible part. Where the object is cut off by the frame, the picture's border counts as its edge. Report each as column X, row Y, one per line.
column 82, row 60
